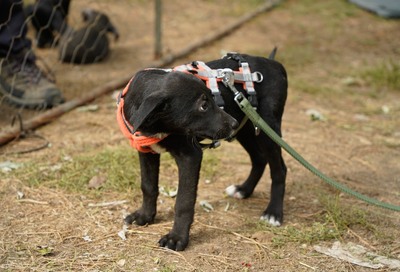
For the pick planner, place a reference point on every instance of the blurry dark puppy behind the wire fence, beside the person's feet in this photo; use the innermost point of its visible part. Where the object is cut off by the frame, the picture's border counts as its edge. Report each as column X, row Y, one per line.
column 88, row 44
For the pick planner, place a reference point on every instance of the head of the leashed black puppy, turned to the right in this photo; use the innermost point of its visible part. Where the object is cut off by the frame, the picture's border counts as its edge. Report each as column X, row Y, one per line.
column 176, row 103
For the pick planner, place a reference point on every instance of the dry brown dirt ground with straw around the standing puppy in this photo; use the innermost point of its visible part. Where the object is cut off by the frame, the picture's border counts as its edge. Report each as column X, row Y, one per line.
column 357, row 144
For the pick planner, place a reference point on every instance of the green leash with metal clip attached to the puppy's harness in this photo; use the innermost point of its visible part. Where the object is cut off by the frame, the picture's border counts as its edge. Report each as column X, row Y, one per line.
column 252, row 114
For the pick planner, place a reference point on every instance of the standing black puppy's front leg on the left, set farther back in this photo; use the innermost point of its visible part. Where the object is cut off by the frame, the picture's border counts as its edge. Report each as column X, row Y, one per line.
column 149, row 166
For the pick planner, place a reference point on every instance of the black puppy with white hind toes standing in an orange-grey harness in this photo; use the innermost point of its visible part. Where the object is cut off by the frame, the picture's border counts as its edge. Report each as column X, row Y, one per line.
column 179, row 105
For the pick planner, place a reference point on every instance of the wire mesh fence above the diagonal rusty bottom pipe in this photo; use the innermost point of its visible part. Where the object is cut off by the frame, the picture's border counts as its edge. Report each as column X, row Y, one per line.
column 80, row 45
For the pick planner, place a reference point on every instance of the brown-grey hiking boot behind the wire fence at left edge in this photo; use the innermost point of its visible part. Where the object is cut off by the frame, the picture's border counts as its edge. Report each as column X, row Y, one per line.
column 23, row 84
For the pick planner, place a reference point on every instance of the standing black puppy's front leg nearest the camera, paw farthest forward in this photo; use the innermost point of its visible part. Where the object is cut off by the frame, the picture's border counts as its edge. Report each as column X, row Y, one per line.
column 189, row 163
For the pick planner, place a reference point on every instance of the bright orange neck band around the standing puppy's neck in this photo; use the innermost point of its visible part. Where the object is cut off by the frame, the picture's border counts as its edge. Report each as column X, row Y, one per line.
column 137, row 141
